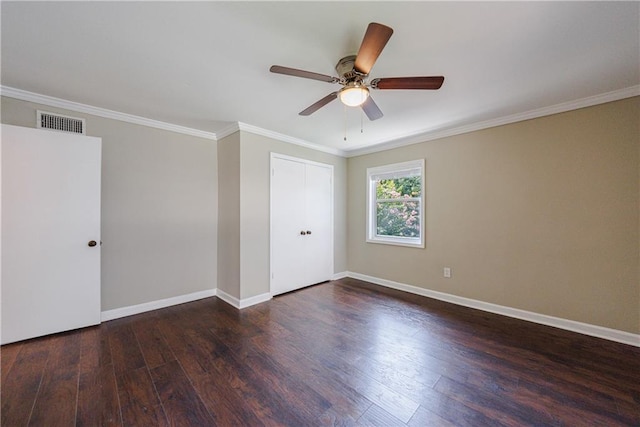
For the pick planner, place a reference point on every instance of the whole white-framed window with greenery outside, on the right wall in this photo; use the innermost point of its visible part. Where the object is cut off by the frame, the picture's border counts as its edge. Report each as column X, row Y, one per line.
column 395, row 204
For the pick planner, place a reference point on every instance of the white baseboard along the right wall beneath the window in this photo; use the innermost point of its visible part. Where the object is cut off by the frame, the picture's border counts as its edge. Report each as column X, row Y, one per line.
column 543, row 319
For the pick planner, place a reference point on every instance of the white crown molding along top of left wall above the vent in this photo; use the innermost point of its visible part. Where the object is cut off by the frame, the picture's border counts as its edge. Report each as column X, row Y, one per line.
column 51, row 101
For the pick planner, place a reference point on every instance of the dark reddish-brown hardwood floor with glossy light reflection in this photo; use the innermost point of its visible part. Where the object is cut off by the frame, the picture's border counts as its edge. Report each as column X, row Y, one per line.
column 341, row 353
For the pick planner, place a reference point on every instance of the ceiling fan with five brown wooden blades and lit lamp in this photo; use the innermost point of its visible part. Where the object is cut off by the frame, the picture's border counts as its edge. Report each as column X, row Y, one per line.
column 354, row 71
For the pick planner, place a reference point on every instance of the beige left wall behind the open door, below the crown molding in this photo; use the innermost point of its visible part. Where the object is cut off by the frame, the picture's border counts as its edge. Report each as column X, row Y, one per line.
column 159, row 208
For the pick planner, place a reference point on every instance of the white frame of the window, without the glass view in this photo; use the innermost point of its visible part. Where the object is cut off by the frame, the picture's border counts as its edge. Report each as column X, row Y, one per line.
column 397, row 169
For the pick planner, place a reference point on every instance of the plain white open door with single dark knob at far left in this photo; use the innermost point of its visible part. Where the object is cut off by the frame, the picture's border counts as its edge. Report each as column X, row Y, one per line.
column 50, row 221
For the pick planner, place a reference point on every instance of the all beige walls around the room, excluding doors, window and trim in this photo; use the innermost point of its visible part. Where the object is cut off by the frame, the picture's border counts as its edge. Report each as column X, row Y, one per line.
column 541, row 215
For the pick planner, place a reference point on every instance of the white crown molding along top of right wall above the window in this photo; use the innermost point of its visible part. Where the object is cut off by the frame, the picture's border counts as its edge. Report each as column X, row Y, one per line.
column 424, row 136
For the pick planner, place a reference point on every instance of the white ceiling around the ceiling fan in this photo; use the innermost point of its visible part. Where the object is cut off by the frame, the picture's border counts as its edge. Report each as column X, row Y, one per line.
column 205, row 65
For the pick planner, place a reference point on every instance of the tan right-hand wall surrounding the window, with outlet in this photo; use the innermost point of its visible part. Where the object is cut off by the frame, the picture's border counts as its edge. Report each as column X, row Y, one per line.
column 541, row 215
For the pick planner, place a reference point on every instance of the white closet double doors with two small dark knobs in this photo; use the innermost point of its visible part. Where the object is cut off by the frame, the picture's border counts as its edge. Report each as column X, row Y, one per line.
column 301, row 223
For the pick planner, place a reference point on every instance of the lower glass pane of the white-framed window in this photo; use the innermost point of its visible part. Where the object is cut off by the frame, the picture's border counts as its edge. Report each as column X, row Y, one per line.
column 398, row 218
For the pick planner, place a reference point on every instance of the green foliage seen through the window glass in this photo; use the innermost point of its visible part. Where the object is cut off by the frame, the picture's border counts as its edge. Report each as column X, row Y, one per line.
column 398, row 206
